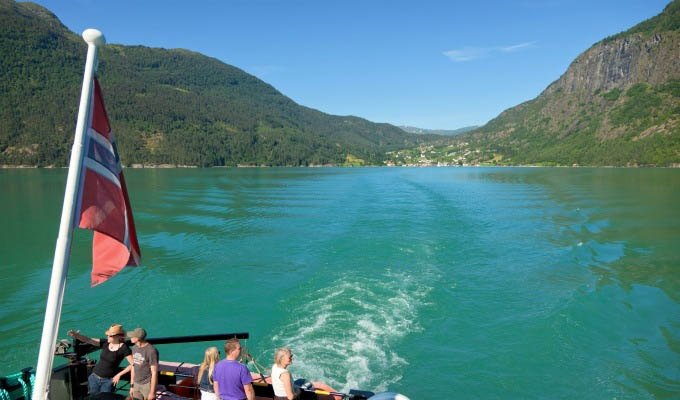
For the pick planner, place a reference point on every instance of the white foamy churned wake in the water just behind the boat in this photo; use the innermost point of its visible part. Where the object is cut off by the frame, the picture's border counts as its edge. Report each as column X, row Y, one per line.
column 344, row 334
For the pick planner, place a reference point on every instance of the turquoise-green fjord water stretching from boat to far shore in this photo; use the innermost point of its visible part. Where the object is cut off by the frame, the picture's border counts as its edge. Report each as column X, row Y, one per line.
column 437, row 283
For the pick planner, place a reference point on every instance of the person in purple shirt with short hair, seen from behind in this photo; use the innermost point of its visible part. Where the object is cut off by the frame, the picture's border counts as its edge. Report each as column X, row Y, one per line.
column 231, row 379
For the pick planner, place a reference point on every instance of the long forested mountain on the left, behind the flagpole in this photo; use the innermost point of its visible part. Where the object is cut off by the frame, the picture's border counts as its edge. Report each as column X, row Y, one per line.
column 165, row 106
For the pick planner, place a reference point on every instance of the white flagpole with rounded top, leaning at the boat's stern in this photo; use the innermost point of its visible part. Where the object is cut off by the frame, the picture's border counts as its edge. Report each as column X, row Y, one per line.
column 62, row 253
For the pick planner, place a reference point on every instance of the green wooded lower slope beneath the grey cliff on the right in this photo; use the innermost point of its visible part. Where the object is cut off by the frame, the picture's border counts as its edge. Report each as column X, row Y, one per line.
column 638, row 126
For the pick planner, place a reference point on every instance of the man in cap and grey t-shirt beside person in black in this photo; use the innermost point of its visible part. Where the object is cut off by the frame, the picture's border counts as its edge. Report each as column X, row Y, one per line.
column 144, row 367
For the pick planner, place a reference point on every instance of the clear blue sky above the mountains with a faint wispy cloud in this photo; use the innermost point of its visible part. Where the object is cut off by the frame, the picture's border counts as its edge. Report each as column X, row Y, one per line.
column 430, row 64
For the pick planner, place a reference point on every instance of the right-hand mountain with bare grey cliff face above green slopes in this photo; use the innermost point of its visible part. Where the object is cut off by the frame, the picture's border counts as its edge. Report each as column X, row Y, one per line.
column 617, row 104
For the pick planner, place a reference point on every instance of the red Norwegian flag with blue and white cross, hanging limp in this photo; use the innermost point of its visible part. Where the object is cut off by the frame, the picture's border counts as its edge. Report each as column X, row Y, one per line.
column 103, row 204
